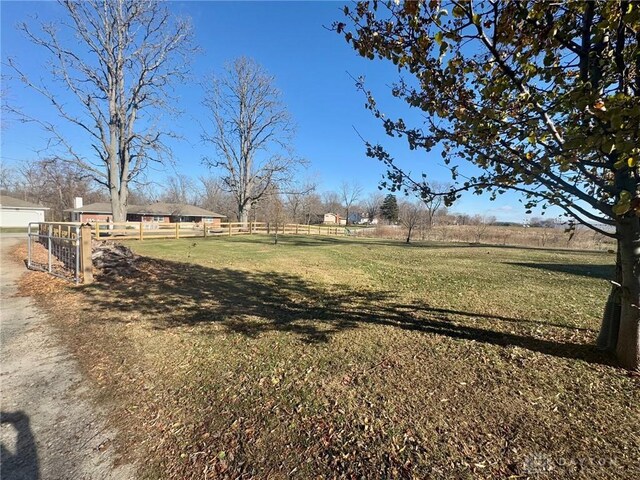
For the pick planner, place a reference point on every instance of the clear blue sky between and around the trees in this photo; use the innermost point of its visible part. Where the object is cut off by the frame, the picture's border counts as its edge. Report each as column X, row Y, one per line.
column 311, row 65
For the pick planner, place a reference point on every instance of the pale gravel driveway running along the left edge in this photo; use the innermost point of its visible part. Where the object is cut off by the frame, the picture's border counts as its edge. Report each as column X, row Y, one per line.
column 49, row 428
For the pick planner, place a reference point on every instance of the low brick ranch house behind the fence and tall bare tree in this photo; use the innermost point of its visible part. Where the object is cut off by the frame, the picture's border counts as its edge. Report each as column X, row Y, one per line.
column 154, row 212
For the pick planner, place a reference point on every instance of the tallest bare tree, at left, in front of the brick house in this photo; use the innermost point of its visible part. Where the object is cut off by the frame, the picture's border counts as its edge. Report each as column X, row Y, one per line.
column 116, row 58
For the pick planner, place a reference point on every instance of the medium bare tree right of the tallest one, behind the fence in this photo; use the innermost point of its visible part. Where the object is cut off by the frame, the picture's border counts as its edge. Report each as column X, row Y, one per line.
column 251, row 132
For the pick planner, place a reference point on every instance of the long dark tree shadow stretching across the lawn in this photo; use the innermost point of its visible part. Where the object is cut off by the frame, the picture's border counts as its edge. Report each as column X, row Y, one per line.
column 252, row 303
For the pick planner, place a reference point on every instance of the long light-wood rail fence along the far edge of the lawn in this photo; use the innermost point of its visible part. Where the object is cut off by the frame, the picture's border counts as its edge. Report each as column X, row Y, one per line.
column 158, row 230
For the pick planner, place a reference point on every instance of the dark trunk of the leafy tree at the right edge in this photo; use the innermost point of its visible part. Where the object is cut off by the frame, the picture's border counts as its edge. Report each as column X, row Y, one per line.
column 628, row 340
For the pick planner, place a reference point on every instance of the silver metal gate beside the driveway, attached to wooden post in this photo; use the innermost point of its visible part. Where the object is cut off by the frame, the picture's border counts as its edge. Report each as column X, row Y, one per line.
column 55, row 248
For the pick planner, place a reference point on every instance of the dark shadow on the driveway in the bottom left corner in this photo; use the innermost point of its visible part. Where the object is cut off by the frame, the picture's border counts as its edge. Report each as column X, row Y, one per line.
column 21, row 462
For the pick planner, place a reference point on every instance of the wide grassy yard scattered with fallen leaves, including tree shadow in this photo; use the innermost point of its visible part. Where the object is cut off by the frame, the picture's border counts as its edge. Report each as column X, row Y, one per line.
column 325, row 357
